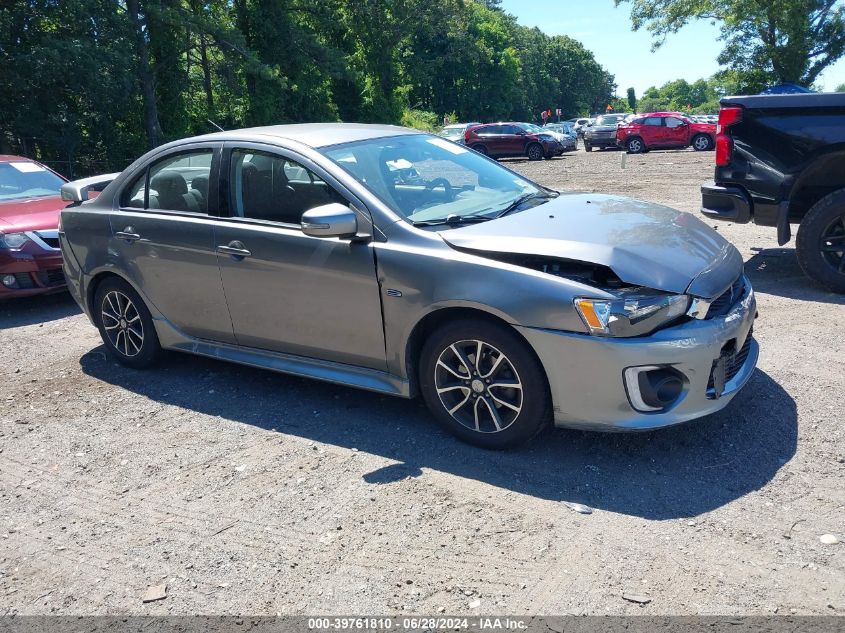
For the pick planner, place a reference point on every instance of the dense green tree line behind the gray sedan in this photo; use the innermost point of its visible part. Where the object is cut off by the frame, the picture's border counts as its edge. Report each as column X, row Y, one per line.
column 87, row 85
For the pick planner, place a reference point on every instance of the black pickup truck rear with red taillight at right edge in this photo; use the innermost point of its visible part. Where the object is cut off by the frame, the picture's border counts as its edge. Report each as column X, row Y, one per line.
column 780, row 160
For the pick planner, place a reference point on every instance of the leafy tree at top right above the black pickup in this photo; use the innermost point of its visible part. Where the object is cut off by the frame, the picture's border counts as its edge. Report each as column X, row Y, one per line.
column 766, row 41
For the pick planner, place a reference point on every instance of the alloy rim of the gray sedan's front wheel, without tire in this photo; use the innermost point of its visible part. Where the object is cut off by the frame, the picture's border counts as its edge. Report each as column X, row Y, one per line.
column 478, row 386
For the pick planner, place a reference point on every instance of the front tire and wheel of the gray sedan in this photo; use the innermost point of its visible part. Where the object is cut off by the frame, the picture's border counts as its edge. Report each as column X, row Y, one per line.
column 487, row 416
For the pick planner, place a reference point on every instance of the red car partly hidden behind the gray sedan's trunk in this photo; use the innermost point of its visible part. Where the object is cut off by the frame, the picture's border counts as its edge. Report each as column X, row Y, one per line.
column 30, row 203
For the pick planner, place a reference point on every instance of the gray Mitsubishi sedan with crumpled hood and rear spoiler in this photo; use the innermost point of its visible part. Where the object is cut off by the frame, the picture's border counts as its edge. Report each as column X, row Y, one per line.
column 395, row 261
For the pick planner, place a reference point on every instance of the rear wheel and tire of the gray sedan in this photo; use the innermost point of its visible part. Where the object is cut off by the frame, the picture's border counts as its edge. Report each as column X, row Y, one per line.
column 125, row 324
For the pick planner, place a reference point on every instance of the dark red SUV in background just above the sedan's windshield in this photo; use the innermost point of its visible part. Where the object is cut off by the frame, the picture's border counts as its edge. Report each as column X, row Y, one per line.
column 499, row 140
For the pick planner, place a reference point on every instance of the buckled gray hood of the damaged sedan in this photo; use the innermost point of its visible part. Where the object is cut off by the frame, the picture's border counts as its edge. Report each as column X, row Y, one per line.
column 644, row 244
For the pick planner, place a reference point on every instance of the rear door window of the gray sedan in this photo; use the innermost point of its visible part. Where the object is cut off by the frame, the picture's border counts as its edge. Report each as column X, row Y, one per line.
column 179, row 182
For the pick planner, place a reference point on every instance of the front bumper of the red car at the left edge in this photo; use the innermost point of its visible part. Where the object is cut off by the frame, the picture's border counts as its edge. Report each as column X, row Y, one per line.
column 36, row 271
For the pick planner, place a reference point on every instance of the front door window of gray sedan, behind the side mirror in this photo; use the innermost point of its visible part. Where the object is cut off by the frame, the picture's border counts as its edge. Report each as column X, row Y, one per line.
column 274, row 188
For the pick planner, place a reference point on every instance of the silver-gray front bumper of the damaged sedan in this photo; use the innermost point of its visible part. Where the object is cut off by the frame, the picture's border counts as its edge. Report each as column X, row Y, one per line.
column 586, row 372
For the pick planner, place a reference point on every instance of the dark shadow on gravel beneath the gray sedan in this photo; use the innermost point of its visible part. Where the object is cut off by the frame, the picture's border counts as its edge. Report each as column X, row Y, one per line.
column 677, row 472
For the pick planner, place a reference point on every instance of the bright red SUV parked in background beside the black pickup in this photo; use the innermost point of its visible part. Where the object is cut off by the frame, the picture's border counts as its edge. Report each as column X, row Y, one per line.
column 664, row 130
